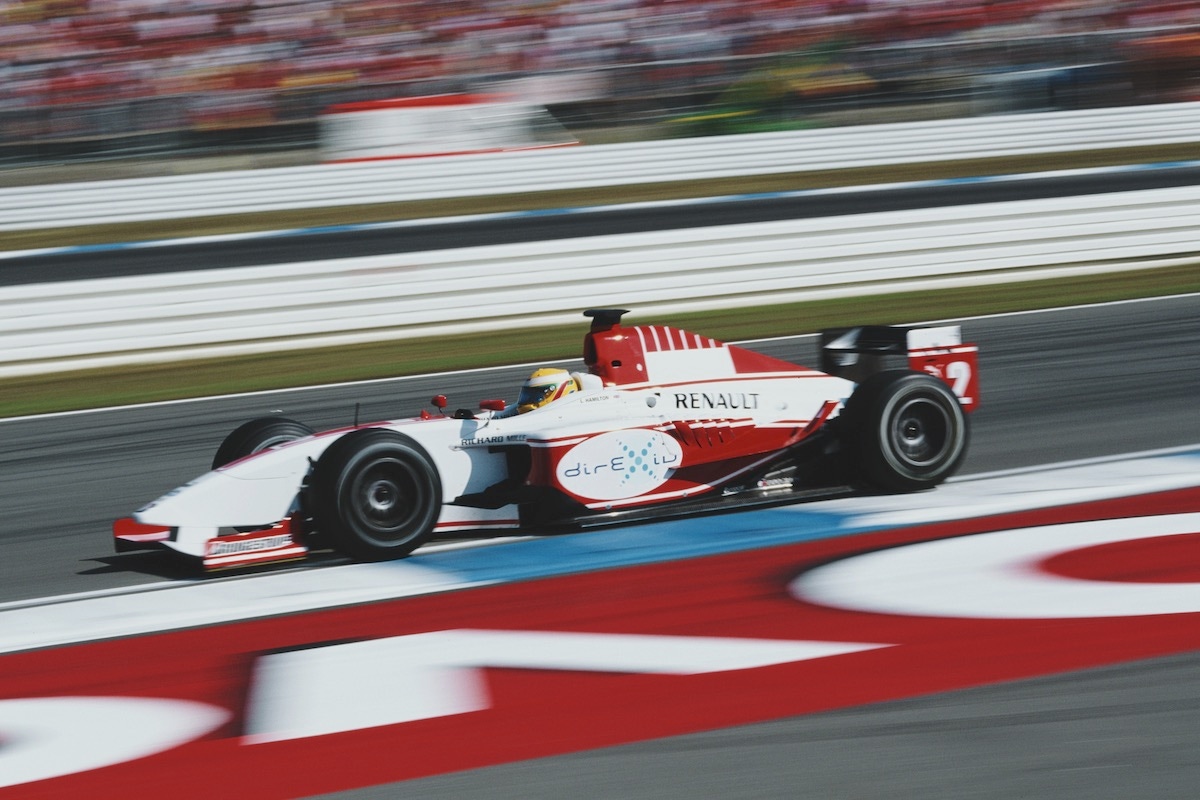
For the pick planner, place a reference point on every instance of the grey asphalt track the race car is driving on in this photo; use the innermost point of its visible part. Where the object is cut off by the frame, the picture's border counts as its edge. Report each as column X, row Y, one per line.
column 1057, row 386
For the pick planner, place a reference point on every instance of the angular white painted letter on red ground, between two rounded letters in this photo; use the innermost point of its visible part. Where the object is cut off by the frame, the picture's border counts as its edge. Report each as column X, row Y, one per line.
column 305, row 693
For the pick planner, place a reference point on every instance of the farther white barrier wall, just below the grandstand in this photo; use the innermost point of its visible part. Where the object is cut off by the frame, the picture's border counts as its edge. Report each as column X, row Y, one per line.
column 592, row 167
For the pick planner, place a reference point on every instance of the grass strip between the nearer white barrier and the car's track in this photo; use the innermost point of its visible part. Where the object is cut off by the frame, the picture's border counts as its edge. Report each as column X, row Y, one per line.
column 201, row 378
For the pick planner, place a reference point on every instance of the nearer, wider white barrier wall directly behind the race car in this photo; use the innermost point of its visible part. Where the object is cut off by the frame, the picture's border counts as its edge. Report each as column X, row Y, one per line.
column 56, row 327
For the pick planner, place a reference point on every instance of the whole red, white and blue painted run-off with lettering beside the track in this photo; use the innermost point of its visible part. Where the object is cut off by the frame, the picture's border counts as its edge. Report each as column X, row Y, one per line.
column 459, row 660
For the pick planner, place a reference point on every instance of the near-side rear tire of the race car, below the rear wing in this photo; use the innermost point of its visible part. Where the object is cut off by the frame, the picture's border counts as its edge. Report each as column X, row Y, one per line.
column 907, row 431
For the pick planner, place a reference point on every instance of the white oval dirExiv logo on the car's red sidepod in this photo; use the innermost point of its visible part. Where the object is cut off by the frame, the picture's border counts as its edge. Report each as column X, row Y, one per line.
column 620, row 465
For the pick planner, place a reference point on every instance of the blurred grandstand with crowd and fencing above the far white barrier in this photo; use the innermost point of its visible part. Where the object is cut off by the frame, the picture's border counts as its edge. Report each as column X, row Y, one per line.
column 115, row 79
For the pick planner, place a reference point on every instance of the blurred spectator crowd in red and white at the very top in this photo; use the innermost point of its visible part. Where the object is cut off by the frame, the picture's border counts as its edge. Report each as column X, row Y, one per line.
column 82, row 52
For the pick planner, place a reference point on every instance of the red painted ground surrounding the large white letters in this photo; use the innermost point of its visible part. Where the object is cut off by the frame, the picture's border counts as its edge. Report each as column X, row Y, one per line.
column 541, row 713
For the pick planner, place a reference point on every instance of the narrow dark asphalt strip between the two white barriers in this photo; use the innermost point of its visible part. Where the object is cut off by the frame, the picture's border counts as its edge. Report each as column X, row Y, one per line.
column 326, row 244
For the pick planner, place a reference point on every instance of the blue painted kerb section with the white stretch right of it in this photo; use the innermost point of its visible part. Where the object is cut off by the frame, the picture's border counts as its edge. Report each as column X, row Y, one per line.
column 754, row 530
